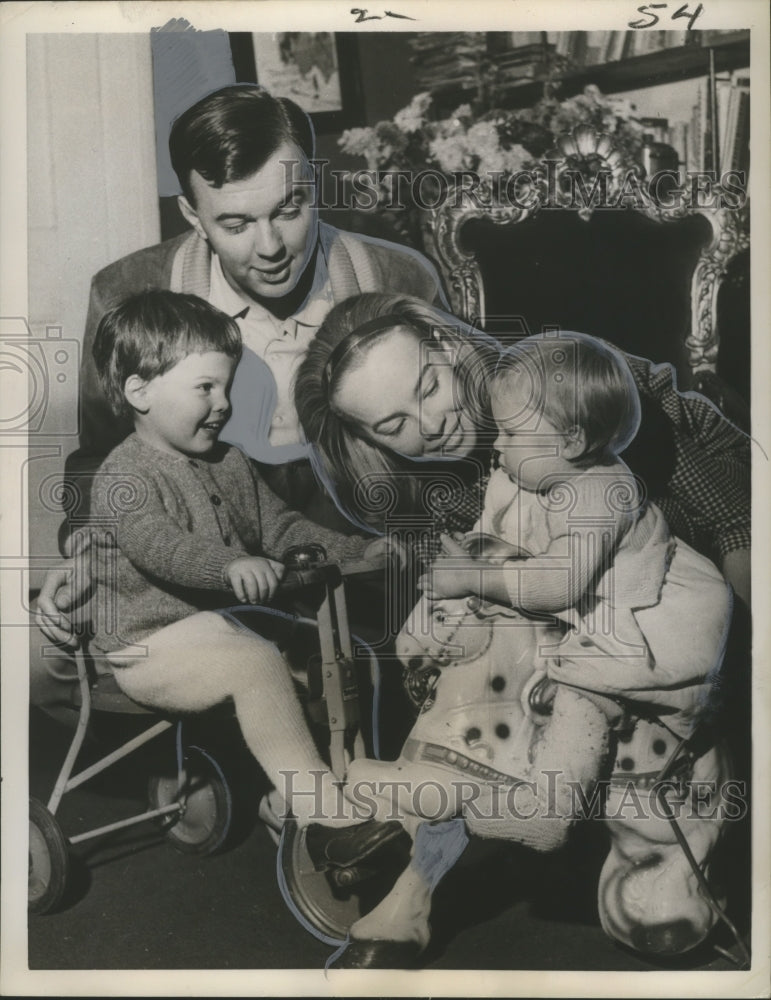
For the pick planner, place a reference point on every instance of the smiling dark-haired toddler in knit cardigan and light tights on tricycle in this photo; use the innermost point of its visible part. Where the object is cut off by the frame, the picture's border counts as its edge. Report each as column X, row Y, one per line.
column 184, row 523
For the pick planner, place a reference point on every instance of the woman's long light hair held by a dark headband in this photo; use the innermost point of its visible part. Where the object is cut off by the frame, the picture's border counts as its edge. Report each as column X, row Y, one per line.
column 356, row 471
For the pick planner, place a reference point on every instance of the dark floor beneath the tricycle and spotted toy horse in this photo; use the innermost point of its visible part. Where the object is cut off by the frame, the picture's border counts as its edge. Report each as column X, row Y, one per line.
column 136, row 903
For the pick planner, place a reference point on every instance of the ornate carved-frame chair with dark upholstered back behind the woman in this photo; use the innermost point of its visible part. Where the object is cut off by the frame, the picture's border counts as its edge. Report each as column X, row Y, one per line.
column 586, row 242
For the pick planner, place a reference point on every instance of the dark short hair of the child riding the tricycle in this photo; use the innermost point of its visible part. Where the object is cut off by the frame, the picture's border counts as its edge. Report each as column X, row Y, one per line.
column 149, row 333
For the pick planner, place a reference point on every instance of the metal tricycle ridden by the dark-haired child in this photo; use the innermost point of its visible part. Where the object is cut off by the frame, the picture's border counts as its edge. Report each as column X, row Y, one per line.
column 194, row 803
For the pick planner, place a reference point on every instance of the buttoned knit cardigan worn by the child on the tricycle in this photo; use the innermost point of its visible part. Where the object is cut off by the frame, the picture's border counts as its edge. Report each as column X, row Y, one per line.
column 167, row 526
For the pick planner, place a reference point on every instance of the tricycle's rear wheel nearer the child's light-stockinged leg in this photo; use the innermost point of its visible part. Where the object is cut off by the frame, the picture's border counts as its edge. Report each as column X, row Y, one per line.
column 203, row 822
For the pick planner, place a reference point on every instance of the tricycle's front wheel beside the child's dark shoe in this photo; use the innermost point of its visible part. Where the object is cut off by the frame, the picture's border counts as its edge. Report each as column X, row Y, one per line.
column 324, row 907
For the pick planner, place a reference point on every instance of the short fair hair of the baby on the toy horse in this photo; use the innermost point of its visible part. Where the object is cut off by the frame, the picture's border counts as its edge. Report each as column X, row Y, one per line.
column 576, row 382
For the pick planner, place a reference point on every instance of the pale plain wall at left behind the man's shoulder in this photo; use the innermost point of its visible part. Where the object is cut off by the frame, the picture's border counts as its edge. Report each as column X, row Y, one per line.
column 92, row 199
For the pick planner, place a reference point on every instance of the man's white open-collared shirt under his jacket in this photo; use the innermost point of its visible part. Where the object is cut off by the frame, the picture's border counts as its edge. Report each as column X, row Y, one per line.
column 264, row 421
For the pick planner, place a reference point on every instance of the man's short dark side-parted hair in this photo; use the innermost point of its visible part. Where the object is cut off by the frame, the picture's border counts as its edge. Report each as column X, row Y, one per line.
column 230, row 135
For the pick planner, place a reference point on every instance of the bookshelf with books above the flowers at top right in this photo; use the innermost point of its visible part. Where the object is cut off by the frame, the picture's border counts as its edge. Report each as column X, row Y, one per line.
column 513, row 71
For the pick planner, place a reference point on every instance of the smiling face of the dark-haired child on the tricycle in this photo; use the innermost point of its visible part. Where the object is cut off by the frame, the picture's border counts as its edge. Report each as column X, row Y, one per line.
column 188, row 405
